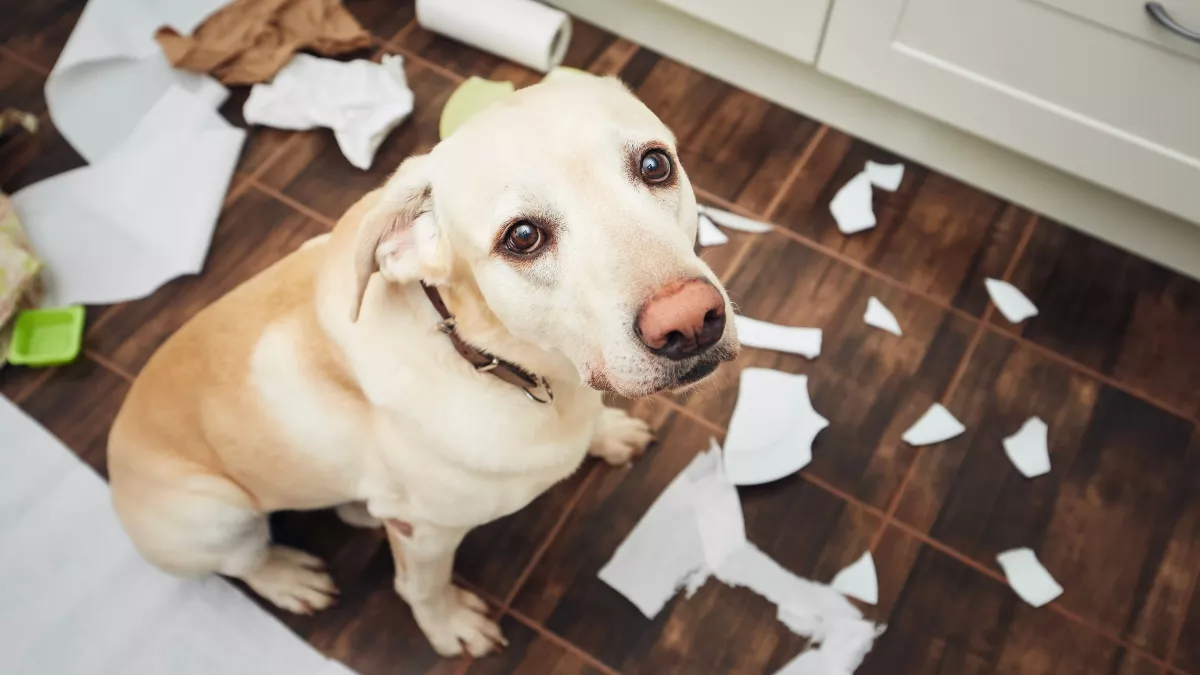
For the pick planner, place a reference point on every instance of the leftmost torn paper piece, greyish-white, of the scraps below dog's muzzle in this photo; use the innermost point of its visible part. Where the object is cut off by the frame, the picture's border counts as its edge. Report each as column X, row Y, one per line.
column 663, row 553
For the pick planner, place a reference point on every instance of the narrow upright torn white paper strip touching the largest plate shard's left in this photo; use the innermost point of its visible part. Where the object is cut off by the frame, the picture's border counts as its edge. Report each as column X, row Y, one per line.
column 717, row 507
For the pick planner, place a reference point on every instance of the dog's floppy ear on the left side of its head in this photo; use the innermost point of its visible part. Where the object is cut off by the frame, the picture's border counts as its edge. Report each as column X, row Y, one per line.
column 400, row 237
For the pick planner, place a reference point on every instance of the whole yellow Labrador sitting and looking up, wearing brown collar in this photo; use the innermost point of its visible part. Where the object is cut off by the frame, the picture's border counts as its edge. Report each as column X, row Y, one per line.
column 436, row 362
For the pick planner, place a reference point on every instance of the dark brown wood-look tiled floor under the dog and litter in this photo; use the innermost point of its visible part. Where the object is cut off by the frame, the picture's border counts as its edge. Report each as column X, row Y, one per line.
column 1113, row 365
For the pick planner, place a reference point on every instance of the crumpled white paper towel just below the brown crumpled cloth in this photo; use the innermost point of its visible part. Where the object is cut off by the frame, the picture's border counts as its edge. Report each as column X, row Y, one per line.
column 361, row 101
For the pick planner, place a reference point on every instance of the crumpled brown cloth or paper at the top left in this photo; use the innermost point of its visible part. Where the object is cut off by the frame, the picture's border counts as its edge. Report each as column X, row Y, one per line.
column 249, row 41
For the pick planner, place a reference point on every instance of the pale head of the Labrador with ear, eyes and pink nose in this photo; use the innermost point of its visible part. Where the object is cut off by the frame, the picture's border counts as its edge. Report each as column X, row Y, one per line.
column 567, row 206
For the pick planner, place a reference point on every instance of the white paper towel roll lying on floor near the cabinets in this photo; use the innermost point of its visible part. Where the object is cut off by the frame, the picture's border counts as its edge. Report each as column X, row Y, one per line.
column 520, row 31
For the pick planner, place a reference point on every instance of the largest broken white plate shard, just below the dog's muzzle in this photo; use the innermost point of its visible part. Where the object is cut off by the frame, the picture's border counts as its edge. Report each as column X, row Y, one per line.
column 773, row 428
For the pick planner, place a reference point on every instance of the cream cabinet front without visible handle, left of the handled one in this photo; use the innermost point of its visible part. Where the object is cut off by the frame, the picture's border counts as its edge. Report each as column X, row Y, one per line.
column 793, row 27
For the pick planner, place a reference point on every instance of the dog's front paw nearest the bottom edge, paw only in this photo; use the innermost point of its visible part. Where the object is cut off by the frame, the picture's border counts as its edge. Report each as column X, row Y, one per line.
column 461, row 626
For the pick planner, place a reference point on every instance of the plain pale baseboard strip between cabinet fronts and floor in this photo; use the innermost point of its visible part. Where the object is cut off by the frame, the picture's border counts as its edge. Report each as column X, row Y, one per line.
column 1072, row 201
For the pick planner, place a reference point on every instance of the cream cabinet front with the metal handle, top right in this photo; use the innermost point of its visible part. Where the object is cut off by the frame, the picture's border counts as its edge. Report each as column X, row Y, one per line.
column 1091, row 88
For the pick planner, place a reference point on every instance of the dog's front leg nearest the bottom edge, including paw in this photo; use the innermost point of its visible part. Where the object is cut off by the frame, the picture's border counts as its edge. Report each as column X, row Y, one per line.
column 454, row 620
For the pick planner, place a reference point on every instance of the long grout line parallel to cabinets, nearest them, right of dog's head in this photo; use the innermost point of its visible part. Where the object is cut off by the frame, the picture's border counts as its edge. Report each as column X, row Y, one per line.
column 941, row 304
